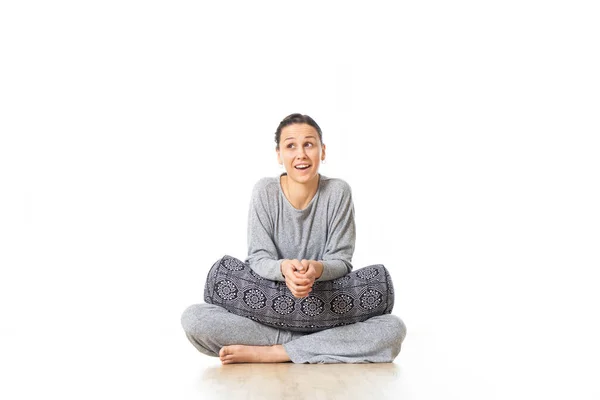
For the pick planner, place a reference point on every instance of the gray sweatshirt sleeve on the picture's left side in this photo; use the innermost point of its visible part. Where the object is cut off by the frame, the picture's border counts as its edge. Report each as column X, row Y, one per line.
column 262, row 252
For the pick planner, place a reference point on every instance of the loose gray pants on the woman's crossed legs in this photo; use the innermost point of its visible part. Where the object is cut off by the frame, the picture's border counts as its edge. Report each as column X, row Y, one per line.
column 378, row 339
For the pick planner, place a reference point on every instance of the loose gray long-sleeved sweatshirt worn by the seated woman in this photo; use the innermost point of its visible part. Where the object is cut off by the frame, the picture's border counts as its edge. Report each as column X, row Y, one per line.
column 323, row 231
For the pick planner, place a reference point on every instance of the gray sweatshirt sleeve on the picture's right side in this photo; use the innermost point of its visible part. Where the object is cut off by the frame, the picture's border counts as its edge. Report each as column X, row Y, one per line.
column 337, row 259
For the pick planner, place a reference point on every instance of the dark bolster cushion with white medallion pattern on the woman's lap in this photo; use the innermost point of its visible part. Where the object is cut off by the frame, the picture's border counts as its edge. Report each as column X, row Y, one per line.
column 355, row 297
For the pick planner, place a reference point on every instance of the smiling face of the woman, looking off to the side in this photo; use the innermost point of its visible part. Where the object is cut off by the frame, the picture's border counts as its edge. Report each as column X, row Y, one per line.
column 301, row 152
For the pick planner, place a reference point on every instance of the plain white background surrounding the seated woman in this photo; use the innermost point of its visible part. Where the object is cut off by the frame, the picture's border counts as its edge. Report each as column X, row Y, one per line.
column 131, row 133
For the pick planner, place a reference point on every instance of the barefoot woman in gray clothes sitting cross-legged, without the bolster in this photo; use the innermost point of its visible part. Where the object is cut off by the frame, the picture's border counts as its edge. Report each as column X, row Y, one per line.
column 300, row 230
